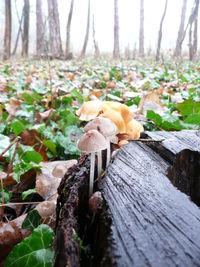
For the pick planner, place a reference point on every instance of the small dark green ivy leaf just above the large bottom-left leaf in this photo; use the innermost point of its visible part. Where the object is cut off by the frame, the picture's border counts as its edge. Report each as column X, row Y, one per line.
column 32, row 220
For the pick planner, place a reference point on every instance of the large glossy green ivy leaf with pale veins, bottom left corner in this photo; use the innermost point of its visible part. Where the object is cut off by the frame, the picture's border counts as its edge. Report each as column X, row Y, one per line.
column 34, row 250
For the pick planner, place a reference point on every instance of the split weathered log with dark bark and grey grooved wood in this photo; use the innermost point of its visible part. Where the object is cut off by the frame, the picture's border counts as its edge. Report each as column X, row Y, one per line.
column 144, row 220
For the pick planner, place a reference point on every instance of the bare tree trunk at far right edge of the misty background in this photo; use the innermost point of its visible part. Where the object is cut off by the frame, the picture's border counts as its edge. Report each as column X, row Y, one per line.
column 193, row 30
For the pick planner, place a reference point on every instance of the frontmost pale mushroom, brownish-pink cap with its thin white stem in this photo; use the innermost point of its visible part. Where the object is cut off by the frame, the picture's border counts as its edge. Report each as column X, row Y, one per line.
column 92, row 142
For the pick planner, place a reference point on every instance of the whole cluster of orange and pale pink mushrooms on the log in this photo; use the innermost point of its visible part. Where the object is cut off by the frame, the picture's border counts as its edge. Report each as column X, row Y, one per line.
column 109, row 122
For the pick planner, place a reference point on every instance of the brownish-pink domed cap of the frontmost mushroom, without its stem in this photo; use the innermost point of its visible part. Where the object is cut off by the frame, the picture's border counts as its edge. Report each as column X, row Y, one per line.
column 92, row 141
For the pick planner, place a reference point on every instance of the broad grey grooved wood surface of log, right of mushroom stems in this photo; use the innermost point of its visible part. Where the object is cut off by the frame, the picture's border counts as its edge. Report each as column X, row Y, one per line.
column 153, row 223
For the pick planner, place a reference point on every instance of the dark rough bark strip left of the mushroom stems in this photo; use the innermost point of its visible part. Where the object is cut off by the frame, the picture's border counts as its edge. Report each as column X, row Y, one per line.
column 72, row 191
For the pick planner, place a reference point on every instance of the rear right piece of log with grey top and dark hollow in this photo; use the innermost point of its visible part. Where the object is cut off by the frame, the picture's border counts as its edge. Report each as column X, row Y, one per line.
column 181, row 150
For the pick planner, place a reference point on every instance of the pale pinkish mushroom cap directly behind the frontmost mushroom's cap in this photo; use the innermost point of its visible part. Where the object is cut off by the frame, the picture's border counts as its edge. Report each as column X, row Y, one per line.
column 103, row 125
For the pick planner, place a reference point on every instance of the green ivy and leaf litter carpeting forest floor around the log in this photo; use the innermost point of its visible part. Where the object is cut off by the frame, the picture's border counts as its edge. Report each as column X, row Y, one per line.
column 38, row 121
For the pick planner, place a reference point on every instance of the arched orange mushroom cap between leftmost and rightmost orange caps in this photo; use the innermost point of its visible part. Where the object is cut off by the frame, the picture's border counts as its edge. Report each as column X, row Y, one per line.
column 122, row 108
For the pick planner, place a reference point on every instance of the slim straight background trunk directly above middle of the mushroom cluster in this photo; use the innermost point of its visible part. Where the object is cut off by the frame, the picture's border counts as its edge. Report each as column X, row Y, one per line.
column 116, row 53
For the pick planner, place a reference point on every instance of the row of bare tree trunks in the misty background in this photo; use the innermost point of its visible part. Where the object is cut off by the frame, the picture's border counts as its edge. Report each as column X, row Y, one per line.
column 49, row 42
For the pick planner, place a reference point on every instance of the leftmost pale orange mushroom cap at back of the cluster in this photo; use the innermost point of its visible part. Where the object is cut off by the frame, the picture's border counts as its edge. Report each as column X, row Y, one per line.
column 89, row 110
